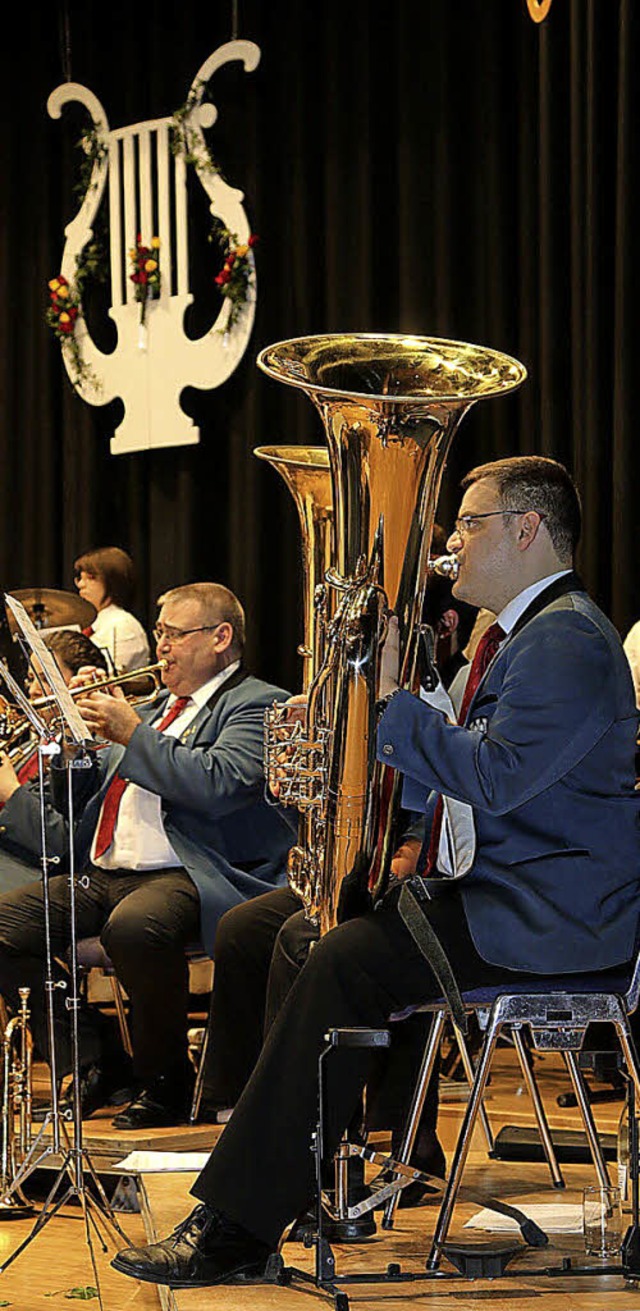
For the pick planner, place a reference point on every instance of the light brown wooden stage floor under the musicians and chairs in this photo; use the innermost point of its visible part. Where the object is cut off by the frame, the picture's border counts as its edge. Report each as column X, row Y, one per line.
column 58, row 1259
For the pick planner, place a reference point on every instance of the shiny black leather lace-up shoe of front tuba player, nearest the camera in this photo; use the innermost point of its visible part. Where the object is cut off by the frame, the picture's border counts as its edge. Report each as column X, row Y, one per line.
column 207, row 1249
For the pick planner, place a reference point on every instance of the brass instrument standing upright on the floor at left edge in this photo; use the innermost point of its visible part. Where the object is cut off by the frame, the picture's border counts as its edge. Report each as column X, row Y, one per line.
column 18, row 1064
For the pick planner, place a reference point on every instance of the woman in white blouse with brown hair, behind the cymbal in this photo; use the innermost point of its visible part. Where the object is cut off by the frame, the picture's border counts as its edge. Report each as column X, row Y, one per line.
column 106, row 577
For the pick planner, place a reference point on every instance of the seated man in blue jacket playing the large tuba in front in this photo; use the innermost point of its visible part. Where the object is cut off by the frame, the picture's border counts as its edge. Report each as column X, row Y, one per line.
column 544, row 757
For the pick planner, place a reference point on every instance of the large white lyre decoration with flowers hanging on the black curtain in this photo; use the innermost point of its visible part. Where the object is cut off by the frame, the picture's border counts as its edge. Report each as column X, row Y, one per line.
column 148, row 195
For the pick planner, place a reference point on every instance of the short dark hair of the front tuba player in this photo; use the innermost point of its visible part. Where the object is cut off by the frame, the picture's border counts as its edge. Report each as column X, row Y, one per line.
column 537, row 483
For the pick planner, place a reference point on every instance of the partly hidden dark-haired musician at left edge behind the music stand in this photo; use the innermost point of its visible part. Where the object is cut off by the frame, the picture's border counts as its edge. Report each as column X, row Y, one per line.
column 20, row 821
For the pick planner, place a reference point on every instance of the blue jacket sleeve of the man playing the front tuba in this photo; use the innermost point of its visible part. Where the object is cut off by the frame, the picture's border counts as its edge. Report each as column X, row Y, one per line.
column 559, row 695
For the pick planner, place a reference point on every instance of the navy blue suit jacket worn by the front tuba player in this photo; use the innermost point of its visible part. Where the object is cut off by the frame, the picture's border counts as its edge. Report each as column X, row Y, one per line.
column 546, row 761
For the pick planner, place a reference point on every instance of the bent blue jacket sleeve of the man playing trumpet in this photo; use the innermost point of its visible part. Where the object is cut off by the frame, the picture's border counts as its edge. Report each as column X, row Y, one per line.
column 217, row 779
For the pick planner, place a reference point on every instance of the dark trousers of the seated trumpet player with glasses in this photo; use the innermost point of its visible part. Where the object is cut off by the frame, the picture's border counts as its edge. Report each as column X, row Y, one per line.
column 145, row 922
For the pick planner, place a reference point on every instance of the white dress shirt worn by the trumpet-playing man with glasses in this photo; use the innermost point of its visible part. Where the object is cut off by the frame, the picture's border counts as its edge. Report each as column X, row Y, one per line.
column 140, row 841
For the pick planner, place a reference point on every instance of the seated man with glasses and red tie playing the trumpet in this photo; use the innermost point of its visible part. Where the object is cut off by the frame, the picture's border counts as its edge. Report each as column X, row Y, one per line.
column 172, row 831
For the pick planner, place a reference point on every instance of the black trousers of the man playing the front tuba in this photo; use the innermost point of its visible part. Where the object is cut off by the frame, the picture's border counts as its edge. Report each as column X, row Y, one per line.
column 262, row 1171
